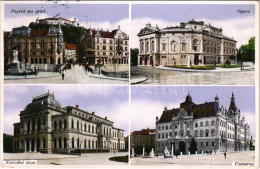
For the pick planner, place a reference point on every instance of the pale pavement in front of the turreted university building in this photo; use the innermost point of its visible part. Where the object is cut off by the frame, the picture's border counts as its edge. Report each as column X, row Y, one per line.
column 196, row 160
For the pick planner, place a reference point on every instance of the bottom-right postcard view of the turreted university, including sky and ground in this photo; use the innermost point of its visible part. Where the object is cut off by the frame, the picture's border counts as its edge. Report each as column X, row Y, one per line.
column 193, row 125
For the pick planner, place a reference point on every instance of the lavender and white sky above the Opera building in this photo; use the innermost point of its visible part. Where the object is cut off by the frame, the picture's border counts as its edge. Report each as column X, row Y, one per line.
column 234, row 24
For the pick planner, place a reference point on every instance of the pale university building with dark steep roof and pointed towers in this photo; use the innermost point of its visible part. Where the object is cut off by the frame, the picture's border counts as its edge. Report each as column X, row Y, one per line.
column 213, row 127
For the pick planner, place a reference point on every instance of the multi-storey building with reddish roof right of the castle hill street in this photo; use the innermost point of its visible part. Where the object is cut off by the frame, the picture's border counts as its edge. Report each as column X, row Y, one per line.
column 104, row 47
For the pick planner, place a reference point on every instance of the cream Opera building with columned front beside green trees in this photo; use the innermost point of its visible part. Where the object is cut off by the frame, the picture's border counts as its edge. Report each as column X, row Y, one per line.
column 191, row 43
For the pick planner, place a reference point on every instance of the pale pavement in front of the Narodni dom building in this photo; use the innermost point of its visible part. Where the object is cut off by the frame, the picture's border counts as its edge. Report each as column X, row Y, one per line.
column 59, row 159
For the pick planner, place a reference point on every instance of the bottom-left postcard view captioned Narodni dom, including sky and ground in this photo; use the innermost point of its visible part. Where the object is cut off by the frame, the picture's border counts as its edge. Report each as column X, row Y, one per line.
column 65, row 125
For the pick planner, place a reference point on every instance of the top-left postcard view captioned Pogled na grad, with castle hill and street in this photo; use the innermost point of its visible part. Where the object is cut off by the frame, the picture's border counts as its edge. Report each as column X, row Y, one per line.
column 65, row 43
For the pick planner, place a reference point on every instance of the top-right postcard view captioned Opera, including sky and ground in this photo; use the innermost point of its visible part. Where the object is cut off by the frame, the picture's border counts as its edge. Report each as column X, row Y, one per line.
column 193, row 44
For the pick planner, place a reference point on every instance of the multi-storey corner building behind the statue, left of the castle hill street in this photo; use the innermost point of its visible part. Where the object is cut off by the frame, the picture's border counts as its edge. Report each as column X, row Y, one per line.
column 35, row 46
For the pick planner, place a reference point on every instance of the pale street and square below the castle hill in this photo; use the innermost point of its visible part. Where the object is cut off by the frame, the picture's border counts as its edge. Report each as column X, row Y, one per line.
column 75, row 75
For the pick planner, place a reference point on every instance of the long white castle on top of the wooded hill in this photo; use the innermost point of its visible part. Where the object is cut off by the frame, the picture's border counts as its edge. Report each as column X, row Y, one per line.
column 56, row 21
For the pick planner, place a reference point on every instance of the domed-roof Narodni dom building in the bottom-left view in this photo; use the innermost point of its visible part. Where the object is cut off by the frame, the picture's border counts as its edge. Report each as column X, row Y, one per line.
column 47, row 127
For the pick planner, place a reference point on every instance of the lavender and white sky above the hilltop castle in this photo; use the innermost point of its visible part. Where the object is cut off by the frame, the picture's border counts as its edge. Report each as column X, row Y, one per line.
column 103, row 16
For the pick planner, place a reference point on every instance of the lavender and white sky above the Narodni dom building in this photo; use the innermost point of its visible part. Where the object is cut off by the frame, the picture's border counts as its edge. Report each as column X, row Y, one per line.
column 105, row 101
